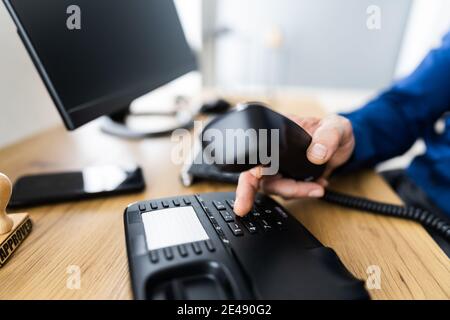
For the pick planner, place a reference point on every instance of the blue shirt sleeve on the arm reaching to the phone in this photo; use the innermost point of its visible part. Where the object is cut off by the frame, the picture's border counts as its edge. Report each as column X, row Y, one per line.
column 388, row 125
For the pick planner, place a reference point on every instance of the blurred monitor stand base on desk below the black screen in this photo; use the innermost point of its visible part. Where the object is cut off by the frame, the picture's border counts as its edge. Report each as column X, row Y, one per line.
column 156, row 124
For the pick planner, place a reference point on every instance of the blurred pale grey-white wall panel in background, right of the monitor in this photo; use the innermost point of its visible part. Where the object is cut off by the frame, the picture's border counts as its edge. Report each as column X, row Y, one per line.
column 320, row 43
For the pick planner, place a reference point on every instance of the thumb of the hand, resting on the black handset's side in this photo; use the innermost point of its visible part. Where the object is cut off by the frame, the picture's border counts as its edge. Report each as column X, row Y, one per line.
column 325, row 140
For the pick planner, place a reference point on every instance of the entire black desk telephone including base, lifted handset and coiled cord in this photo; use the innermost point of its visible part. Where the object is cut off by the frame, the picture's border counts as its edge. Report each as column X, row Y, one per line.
column 195, row 247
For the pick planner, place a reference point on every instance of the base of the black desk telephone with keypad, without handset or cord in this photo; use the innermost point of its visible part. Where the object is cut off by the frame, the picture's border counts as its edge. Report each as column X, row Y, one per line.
column 195, row 247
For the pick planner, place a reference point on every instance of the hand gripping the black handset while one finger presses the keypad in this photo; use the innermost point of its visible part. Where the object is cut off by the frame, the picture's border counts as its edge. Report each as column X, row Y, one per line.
column 332, row 143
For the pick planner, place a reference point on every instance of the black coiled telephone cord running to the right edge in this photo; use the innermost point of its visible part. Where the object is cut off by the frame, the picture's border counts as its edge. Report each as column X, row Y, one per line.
column 424, row 217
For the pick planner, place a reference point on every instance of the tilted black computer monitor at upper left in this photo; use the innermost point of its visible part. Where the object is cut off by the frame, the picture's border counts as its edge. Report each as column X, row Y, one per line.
column 96, row 56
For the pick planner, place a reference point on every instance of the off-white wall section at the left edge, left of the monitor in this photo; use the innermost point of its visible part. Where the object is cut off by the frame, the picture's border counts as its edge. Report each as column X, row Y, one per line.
column 25, row 106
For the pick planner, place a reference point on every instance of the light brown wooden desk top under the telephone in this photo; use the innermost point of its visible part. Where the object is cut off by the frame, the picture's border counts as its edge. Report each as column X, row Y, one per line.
column 90, row 234
